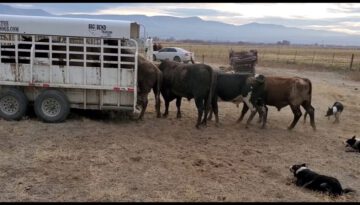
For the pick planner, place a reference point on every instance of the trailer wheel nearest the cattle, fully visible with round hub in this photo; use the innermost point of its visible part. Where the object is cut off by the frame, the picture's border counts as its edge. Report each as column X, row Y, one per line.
column 52, row 106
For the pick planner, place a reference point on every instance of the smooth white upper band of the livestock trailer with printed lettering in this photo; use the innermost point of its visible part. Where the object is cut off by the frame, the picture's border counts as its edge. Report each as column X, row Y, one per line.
column 61, row 26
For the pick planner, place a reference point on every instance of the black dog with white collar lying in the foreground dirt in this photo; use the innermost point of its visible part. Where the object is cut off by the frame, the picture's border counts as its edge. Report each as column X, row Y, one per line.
column 314, row 181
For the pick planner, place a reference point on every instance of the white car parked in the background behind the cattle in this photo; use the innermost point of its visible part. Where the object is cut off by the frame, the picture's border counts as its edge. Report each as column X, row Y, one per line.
column 173, row 53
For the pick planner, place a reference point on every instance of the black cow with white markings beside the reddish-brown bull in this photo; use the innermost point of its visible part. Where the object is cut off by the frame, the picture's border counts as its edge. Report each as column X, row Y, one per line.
column 236, row 88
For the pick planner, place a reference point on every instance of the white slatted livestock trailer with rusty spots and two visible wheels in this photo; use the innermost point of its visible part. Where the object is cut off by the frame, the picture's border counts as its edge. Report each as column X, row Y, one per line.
column 56, row 63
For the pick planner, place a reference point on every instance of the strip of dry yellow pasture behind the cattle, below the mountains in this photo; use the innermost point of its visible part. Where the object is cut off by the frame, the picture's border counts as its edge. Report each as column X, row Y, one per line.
column 336, row 58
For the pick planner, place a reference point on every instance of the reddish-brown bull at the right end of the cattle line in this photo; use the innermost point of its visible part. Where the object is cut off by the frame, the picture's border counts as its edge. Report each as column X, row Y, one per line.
column 281, row 92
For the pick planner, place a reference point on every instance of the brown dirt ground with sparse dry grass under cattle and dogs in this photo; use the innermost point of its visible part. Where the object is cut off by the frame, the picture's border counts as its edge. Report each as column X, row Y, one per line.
column 93, row 157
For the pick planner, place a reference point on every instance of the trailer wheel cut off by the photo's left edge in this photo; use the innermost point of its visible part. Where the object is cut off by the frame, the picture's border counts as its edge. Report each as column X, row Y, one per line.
column 13, row 104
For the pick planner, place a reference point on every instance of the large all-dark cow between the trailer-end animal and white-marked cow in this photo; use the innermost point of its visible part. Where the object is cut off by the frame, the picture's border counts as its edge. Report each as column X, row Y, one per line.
column 190, row 81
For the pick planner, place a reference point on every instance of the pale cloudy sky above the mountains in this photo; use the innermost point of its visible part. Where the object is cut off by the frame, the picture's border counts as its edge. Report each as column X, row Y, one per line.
column 340, row 17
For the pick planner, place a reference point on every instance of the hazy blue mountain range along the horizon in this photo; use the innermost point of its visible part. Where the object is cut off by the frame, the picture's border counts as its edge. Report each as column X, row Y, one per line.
column 194, row 28
